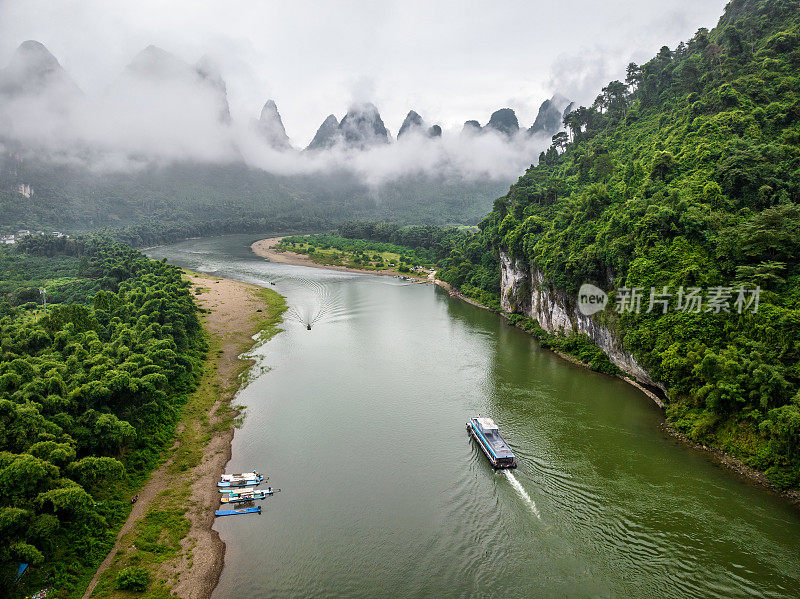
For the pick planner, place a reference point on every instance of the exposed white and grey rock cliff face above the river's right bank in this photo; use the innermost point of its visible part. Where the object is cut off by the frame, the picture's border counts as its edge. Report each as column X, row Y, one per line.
column 523, row 291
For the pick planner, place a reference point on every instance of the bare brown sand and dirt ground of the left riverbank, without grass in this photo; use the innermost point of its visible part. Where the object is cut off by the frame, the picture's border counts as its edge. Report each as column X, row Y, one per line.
column 231, row 323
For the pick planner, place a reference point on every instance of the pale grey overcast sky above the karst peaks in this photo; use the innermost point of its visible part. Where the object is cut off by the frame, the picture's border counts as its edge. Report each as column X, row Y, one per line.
column 451, row 60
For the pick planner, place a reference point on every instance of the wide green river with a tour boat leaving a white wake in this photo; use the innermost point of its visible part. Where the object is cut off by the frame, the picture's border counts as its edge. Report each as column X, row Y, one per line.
column 360, row 423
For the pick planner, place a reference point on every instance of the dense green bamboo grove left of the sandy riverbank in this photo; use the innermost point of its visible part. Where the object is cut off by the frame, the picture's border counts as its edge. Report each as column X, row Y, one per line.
column 90, row 393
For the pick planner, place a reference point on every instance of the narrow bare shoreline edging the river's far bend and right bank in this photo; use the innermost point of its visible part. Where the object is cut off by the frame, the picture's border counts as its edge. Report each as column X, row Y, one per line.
column 263, row 248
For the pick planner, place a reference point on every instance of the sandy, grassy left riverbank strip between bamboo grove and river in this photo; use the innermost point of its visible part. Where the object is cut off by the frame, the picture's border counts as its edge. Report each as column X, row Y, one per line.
column 181, row 492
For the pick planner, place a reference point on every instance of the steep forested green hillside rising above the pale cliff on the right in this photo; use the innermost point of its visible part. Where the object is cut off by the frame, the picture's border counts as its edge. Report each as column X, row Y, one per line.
column 685, row 175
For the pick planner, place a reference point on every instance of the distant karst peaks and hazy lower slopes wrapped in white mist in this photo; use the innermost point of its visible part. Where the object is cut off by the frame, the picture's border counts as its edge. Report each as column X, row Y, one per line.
column 166, row 120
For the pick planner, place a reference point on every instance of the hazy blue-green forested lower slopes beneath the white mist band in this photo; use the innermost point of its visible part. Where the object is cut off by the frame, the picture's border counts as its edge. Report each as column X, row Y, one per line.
column 178, row 201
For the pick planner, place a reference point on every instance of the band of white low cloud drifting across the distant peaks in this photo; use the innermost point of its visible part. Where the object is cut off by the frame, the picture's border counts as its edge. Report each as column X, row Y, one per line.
column 175, row 116
